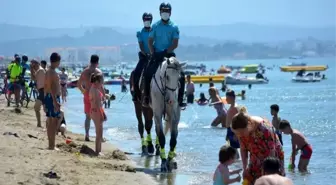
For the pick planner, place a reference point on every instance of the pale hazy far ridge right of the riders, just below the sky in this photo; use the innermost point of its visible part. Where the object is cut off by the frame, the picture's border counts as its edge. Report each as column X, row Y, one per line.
column 259, row 33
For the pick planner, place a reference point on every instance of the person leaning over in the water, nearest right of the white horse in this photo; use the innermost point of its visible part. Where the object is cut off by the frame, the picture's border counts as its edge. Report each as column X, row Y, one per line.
column 216, row 101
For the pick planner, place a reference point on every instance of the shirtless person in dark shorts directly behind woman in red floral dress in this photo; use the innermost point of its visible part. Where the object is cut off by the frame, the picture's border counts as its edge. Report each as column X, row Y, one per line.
column 233, row 110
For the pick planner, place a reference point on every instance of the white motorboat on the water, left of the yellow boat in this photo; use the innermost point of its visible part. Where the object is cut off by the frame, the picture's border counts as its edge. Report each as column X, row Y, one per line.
column 244, row 80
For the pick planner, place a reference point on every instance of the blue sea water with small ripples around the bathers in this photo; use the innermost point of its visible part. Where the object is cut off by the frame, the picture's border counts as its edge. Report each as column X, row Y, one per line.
column 310, row 107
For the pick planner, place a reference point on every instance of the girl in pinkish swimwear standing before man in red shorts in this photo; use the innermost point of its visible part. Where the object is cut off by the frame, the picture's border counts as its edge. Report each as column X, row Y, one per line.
column 97, row 113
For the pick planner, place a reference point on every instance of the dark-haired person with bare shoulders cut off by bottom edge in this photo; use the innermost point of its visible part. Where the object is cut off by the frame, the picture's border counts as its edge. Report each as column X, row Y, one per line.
column 271, row 170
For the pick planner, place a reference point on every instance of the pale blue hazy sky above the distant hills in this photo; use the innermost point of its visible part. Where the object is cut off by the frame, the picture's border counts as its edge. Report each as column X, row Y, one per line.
column 127, row 13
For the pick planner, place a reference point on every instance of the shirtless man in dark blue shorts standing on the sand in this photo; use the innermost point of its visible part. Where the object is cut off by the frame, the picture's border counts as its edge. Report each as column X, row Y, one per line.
column 52, row 92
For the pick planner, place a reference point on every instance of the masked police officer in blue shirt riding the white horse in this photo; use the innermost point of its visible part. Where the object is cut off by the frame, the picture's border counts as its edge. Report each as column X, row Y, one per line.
column 163, row 40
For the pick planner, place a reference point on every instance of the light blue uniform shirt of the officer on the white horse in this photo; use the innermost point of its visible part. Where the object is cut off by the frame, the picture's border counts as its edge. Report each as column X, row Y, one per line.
column 163, row 35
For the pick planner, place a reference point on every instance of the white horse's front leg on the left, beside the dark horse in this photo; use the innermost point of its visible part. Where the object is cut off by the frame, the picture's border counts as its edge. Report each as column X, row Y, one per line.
column 162, row 139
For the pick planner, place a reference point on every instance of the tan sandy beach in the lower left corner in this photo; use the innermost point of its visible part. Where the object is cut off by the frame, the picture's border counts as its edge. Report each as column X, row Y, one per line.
column 25, row 159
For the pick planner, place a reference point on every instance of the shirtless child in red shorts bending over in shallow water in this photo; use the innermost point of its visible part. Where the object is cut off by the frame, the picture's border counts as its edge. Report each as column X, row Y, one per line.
column 299, row 142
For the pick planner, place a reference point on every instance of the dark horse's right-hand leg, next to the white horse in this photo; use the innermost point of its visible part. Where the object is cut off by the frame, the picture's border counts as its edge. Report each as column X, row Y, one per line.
column 148, row 114
